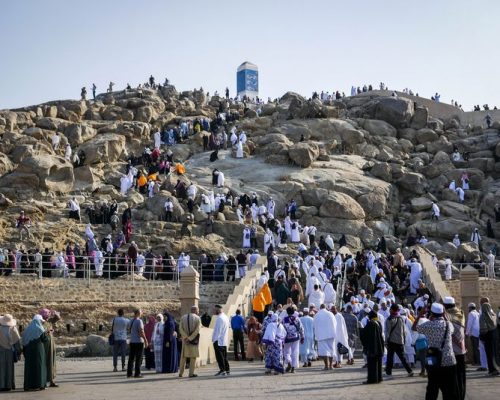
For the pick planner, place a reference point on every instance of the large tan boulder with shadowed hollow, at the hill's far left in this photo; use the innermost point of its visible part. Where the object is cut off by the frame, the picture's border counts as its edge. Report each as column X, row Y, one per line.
column 54, row 173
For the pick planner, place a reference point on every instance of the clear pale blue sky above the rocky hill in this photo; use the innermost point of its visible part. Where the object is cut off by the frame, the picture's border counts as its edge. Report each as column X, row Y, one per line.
column 51, row 48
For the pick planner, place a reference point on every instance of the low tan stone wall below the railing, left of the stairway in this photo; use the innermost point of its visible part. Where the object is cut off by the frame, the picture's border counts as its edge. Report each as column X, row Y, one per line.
column 89, row 308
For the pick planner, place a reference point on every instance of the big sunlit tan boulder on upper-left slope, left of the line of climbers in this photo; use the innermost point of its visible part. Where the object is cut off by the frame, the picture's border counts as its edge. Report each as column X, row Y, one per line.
column 103, row 148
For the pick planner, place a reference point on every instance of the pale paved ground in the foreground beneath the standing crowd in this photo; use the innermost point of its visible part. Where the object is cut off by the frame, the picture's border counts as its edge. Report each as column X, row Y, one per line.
column 92, row 379
